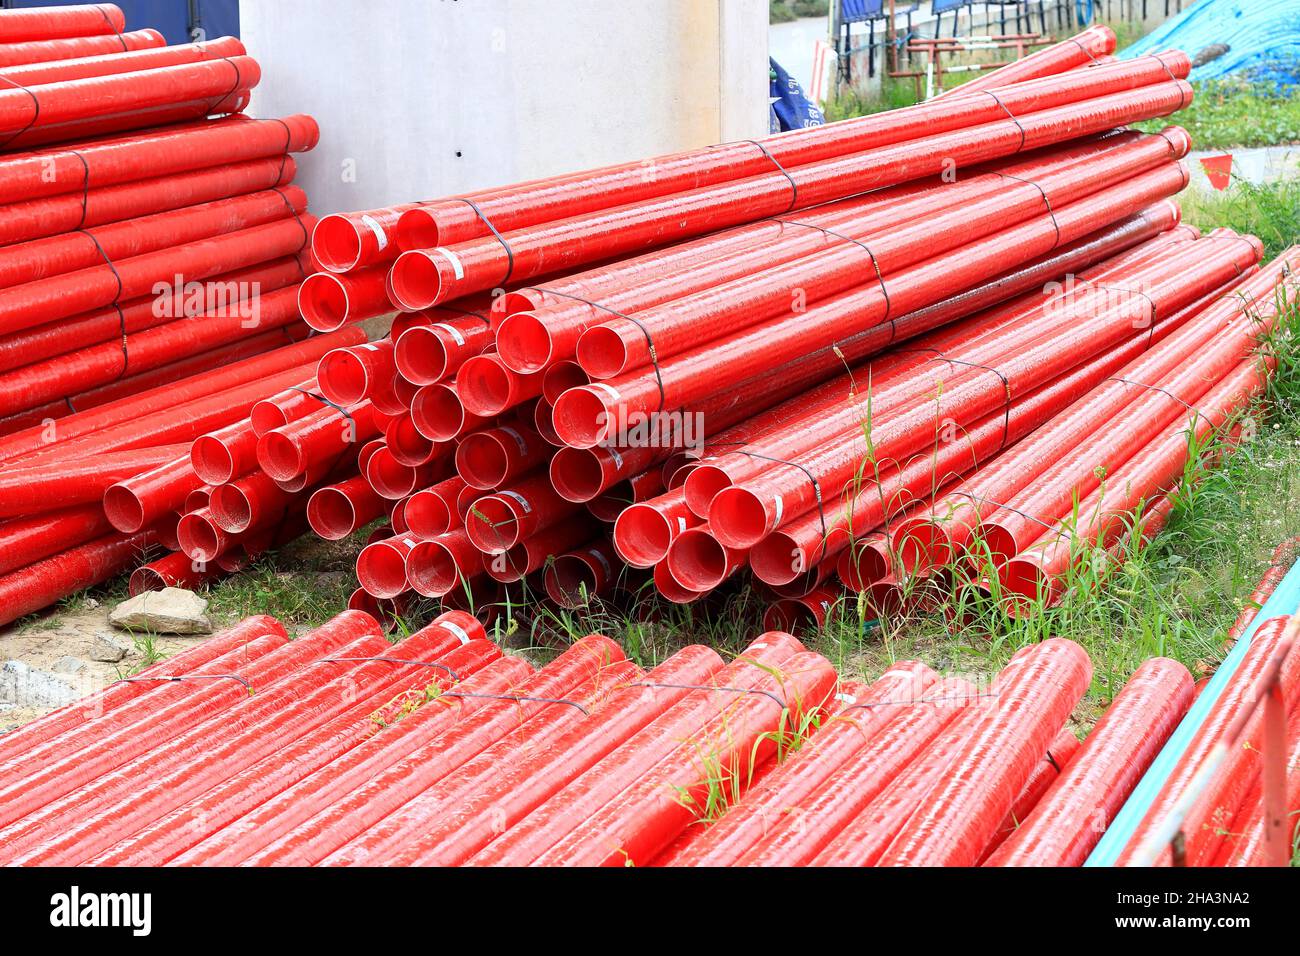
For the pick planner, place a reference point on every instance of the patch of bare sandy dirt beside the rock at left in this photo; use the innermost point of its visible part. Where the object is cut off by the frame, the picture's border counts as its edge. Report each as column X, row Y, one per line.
column 60, row 646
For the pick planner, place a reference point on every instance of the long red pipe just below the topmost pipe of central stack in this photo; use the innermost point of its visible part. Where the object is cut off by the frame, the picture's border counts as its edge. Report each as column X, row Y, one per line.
column 426, row 278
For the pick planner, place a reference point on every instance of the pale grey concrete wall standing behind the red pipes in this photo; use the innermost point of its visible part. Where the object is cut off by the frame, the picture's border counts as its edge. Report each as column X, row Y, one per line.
column 427, row 98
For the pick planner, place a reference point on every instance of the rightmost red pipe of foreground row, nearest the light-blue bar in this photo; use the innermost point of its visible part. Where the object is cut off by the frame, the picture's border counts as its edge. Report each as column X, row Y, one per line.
column 1085, row 799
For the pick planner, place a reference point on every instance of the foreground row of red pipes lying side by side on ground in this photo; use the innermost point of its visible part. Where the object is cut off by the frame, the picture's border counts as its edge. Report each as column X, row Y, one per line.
column 444, row 752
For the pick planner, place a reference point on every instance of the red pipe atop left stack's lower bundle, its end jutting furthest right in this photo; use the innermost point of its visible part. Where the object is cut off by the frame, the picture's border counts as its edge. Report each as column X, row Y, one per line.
column 153, row 155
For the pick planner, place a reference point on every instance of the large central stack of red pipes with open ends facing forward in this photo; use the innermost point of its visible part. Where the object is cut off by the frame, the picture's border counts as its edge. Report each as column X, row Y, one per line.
column 749, row 397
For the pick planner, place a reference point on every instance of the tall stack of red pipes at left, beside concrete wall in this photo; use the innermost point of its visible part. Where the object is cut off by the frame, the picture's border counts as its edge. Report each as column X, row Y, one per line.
column 150, row 262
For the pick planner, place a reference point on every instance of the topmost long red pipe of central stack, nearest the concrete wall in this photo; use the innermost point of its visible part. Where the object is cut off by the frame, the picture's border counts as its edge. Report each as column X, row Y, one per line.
column 456, row 222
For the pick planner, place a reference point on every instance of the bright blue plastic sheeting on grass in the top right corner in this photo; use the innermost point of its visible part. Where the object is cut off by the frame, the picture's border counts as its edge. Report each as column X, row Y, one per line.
column 1263, row 40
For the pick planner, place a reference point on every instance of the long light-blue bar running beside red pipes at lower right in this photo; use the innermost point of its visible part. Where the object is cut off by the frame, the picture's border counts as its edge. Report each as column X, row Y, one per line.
column 1284, row 602
